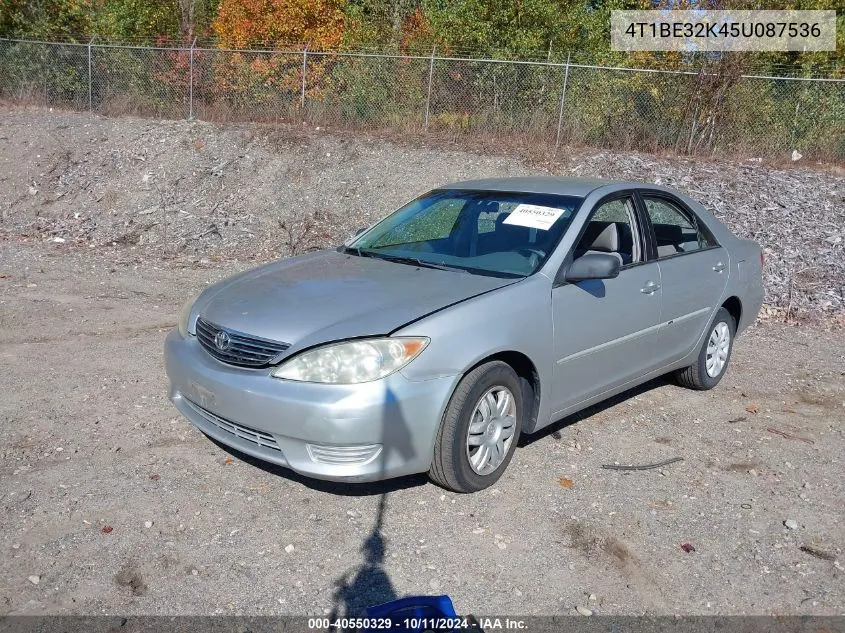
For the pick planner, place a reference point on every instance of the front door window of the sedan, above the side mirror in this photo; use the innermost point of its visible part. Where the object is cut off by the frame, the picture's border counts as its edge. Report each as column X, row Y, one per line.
column 613, row 229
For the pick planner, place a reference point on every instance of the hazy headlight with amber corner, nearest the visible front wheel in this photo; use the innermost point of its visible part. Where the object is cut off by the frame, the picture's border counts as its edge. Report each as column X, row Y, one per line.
column 353, row 361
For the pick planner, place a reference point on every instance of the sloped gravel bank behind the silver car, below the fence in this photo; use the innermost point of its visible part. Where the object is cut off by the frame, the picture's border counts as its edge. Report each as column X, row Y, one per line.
column 256, row 192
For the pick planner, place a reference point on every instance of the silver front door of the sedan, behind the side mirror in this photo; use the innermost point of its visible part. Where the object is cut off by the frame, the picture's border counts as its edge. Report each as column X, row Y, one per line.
column 605, row 330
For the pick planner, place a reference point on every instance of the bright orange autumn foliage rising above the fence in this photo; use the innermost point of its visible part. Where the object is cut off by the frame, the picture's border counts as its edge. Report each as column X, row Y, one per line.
column 317, row 23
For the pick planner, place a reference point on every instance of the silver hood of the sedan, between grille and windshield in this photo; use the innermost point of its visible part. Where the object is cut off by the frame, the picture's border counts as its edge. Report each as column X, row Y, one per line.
column 329, row 296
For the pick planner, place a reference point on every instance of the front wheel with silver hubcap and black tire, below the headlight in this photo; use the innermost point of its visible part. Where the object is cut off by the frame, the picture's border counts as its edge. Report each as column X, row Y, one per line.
column 457, row 464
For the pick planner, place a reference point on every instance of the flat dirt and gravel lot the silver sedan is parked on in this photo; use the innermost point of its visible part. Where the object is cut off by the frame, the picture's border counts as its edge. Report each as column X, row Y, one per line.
column 112, row 503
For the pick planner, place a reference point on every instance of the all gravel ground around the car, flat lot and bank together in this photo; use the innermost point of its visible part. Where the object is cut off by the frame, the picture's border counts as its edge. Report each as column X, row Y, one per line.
column 115, row 504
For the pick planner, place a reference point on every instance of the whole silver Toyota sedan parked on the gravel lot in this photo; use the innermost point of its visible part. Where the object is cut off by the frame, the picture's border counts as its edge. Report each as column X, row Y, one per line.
column 479, row 311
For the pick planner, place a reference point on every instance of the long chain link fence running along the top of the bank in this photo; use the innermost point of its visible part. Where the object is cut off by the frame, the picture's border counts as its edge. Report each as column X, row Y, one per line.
column 547, row 104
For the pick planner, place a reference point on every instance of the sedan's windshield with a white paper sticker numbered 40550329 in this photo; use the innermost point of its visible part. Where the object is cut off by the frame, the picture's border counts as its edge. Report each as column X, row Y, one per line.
column 484, row 232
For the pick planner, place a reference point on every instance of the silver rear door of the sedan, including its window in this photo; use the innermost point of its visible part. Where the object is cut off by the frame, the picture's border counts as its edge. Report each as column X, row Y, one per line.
column 693, row 270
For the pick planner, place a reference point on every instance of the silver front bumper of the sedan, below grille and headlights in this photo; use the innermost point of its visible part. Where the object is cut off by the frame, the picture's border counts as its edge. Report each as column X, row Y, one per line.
column 365, row 432
